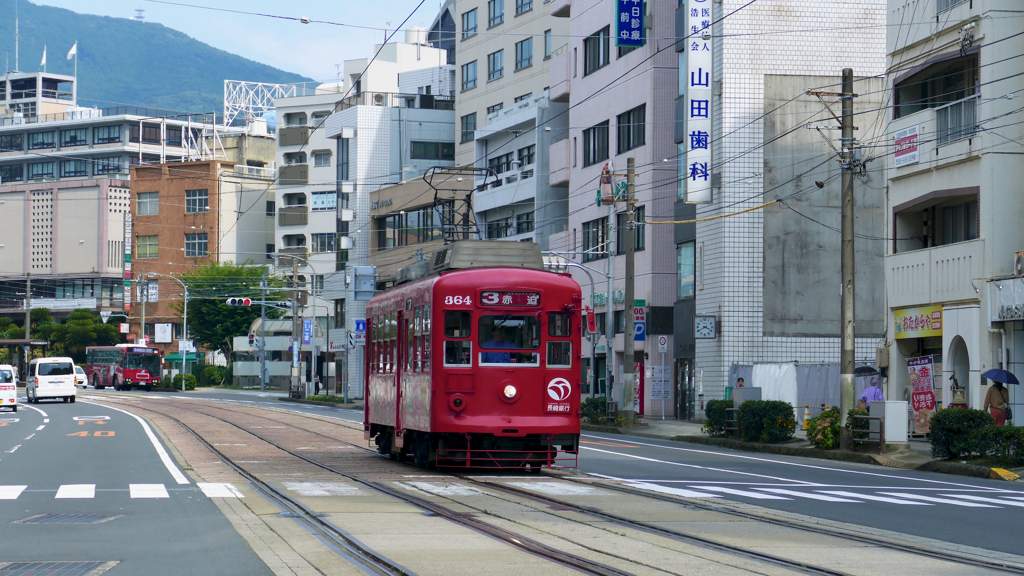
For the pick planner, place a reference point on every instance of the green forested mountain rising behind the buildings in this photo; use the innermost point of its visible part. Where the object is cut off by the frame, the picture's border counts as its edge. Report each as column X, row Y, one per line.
column 124, row 62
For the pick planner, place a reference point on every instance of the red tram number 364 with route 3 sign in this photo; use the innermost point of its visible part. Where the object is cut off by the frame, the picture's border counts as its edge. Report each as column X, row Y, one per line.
column 474, row 361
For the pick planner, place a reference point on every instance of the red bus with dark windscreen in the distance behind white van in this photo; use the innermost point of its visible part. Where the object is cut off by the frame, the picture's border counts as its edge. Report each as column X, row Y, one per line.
column 122, row 367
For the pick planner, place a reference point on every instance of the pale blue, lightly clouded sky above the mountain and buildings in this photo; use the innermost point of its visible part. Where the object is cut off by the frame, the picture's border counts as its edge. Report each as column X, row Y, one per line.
column 309, row 50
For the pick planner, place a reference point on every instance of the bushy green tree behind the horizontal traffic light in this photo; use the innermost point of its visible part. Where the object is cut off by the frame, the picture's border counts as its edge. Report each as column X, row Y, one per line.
column 211, row 322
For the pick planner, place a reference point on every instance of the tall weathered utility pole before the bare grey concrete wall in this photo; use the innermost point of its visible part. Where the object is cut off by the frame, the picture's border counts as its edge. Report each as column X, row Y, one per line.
column 847, row 255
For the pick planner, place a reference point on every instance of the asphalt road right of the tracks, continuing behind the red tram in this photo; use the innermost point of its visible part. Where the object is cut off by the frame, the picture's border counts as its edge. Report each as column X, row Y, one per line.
column 971, row 512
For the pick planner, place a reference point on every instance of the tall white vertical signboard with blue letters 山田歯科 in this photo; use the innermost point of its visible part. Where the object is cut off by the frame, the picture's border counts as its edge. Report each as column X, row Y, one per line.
column 700, row 61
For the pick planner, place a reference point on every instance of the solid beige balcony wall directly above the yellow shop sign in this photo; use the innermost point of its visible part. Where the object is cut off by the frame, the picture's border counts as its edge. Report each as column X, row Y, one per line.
column 943, row 274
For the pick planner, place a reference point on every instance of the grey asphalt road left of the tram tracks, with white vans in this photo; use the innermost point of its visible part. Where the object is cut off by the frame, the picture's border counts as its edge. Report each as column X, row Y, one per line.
column 80, row 459
